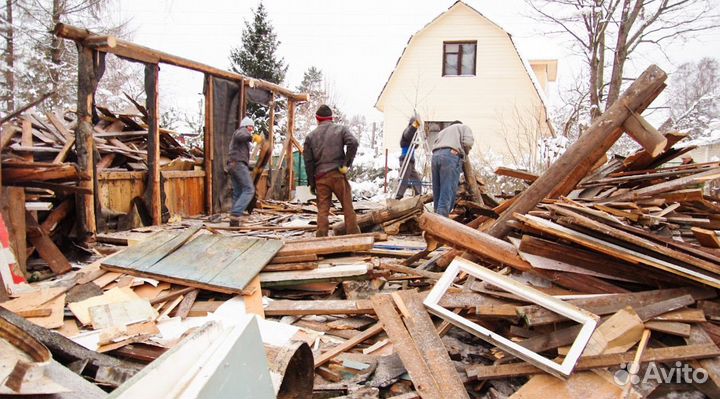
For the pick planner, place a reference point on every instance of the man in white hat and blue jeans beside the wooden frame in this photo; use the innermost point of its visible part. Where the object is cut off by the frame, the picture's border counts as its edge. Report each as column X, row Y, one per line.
column 239, row 169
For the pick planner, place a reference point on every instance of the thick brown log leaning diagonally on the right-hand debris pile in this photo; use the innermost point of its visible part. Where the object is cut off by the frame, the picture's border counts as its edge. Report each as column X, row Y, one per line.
column 565, row 173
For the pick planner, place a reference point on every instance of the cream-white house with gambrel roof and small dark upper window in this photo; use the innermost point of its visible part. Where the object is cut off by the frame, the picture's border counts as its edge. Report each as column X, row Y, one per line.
column 462, row 66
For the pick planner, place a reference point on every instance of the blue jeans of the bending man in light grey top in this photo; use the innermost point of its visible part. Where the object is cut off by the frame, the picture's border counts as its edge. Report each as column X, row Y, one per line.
column 446, row 168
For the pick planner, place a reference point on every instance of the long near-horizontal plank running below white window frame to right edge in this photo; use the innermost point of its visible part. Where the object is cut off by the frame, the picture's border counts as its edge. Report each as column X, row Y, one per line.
column 658, row 355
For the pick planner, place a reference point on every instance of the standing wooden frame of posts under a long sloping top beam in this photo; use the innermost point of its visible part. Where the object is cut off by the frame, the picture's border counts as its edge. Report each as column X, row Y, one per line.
column 91, row 50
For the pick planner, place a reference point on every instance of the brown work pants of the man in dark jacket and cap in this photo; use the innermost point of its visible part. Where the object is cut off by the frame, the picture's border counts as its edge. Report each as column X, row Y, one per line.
column 334, row 182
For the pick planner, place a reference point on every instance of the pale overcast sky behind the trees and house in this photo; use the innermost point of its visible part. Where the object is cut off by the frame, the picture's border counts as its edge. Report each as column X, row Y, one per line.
column 355, row 43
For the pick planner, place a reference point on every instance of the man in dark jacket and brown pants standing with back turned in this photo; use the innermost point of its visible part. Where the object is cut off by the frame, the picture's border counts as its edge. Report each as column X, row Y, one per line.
column 329, row 151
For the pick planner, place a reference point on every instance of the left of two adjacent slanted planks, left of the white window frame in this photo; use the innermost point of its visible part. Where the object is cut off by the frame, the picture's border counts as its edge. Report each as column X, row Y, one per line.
column 420, row 373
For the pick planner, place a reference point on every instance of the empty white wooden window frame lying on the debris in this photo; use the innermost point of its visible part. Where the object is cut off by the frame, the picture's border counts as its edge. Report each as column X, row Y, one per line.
column 562, row 370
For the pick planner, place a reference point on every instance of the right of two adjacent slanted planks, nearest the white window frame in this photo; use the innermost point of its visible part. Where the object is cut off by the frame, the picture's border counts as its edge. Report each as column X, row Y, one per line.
column 426, row 339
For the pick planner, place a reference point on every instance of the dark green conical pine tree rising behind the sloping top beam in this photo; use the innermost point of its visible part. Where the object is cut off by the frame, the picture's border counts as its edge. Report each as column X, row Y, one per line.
column 257, row 56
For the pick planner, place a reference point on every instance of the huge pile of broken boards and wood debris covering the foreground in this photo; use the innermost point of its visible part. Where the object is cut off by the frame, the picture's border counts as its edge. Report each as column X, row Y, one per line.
column 568, row 290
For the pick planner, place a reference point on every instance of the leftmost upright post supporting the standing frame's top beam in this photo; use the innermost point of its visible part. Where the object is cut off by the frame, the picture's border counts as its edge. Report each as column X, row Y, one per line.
column 90, row 69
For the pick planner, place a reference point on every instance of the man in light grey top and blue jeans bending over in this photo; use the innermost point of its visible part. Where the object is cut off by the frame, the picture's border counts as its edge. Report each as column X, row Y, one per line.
column 451, row 145
